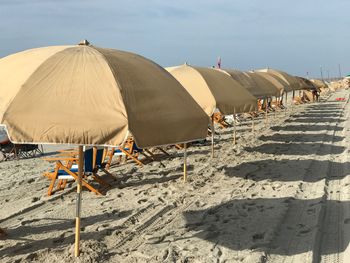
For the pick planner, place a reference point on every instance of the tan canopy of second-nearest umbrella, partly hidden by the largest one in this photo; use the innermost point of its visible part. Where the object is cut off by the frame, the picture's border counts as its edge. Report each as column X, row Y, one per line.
column 214, row 88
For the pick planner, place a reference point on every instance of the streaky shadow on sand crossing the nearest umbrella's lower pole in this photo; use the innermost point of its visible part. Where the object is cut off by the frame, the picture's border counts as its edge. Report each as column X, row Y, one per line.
column 64, row 227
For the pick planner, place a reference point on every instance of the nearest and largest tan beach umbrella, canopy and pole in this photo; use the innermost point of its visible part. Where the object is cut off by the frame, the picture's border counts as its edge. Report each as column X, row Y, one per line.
column 86, row 95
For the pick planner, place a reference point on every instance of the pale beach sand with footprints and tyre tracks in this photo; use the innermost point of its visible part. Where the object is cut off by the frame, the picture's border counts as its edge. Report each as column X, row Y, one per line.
column 279, row 195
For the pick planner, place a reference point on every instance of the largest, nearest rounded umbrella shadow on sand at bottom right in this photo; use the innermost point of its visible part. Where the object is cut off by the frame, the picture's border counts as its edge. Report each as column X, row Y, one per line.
column 251, row 224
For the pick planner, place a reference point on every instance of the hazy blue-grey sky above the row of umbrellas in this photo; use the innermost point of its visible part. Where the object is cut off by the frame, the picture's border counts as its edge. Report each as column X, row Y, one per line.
column 300, row 37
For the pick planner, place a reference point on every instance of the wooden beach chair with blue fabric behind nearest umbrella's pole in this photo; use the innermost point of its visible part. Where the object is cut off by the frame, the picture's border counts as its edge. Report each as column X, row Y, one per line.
column 66, row 169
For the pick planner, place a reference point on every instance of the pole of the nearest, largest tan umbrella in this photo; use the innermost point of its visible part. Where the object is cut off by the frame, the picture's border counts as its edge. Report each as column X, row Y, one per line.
column 78, row 204
